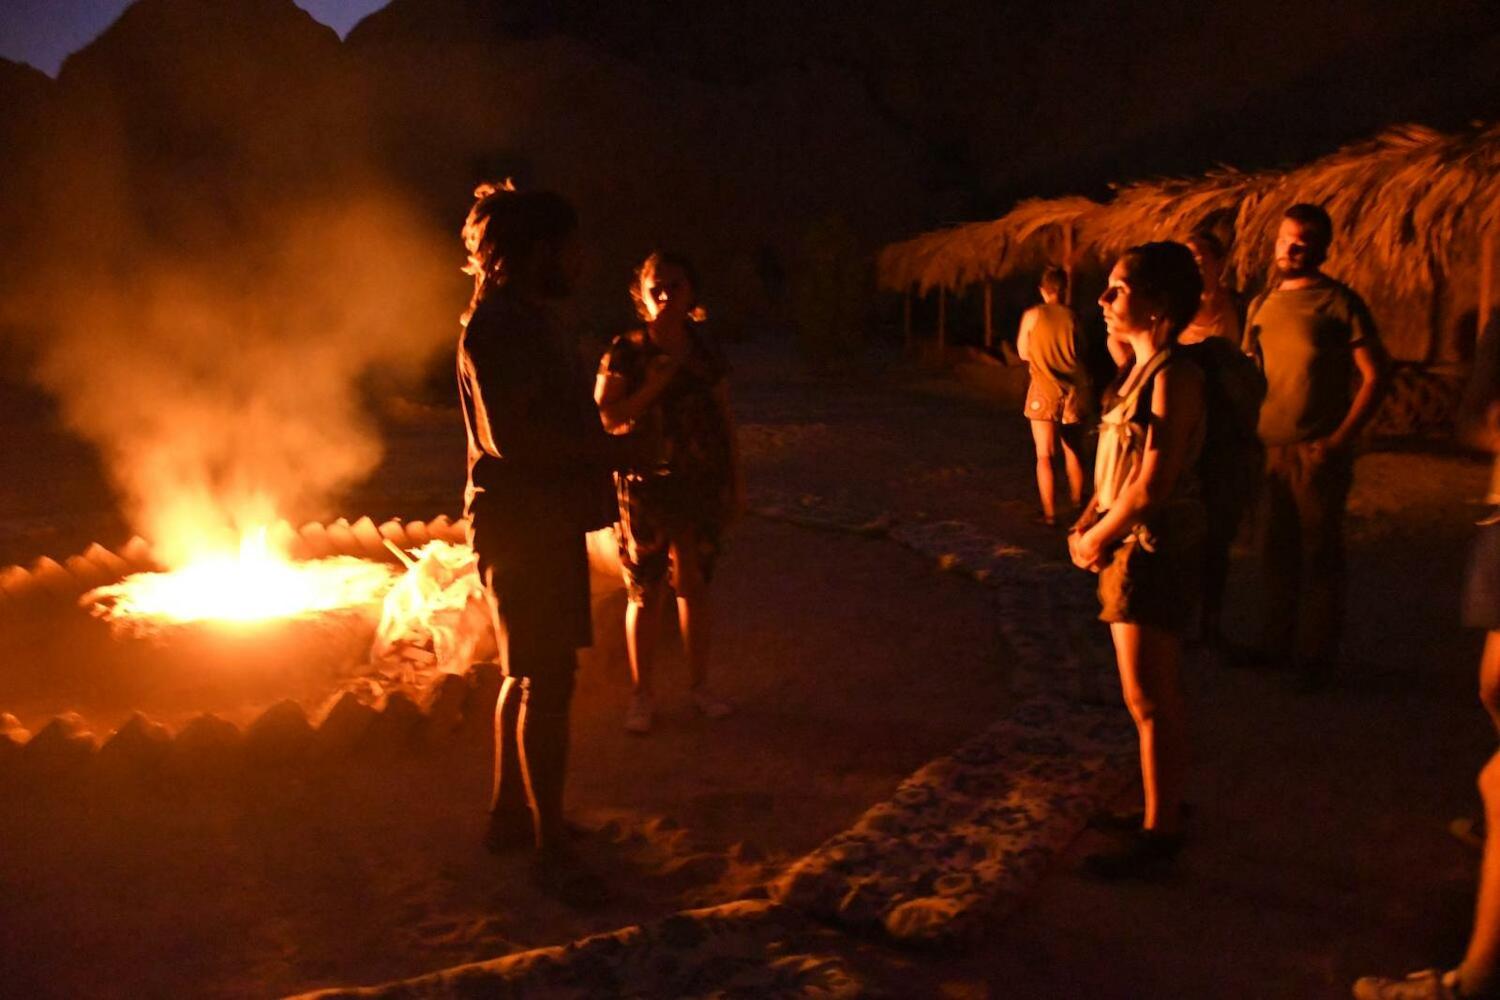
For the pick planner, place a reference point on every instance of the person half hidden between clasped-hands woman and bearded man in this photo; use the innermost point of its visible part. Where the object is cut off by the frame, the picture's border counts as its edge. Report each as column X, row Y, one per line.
column 1234, row 457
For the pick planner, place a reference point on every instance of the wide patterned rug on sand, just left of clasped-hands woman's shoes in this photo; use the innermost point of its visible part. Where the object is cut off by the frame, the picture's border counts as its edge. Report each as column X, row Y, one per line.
column 965, row 837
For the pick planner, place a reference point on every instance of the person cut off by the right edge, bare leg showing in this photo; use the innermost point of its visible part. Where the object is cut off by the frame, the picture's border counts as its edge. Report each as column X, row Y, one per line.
column 1478, row 975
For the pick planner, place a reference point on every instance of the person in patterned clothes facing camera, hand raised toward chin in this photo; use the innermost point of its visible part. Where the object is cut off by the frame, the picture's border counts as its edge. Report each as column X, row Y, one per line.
column 665, row 388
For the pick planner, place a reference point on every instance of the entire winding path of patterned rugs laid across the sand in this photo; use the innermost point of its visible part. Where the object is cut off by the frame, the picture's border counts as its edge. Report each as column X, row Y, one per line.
column 962, row 840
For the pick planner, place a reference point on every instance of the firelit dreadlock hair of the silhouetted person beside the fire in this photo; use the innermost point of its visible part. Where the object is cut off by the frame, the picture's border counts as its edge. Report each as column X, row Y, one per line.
column 505, row 229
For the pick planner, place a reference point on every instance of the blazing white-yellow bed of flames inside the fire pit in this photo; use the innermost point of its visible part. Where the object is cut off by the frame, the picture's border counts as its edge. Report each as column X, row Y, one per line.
column 257, row 584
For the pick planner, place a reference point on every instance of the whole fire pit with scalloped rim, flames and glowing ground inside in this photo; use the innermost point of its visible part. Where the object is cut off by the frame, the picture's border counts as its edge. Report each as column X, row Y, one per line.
column 295, row 615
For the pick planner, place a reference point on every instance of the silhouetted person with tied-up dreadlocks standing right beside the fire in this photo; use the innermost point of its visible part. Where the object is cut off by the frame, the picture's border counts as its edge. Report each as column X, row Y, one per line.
column 538, row 484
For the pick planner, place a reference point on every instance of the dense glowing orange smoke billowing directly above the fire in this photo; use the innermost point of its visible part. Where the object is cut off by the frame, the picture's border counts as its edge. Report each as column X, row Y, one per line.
column 226, row 394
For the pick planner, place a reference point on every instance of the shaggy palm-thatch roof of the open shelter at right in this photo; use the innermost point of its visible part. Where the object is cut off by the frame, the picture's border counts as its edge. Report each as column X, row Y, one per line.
column 1409, row 208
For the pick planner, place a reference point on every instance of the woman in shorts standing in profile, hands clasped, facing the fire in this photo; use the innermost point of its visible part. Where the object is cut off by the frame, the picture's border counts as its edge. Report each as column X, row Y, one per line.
column 1142, row 531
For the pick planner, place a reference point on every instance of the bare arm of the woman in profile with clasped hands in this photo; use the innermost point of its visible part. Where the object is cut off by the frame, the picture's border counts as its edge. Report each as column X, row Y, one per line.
column 1177, row 410
